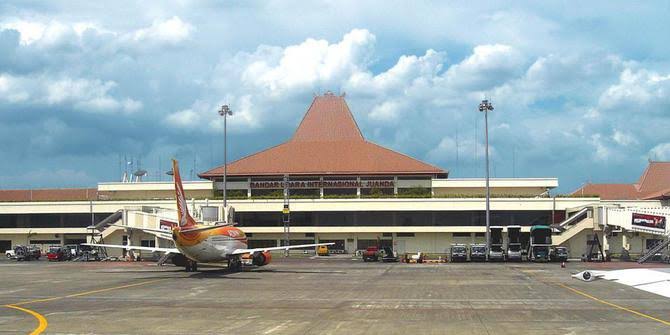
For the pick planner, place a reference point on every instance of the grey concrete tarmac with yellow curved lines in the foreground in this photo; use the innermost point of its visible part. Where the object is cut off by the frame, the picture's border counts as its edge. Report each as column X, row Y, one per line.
column 335, row 295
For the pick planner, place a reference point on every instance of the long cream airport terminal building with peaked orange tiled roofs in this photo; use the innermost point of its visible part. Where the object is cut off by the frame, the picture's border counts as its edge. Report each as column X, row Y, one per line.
column 347, row 190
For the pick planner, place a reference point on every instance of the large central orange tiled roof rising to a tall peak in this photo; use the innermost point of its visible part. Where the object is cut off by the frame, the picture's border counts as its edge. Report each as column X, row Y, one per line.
column 327, row 141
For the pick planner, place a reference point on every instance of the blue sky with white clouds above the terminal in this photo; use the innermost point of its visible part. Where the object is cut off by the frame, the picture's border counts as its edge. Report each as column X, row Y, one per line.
column 581, row 90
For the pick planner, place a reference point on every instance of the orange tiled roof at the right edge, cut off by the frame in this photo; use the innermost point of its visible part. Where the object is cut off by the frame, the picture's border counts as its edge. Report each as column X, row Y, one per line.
column 653, row 184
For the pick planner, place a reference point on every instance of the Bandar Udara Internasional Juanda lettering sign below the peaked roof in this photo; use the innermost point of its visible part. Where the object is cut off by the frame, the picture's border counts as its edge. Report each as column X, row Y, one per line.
column 297, row 184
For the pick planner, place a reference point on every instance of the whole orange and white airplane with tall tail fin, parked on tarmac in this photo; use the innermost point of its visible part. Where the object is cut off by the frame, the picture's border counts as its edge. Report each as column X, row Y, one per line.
column 205, row 243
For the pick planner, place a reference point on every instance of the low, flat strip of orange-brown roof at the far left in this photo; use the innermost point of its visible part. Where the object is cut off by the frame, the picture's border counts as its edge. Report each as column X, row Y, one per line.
column 61, row 194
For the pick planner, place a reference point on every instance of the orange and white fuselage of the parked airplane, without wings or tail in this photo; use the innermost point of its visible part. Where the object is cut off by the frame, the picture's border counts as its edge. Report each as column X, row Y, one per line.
column 211, row 246
